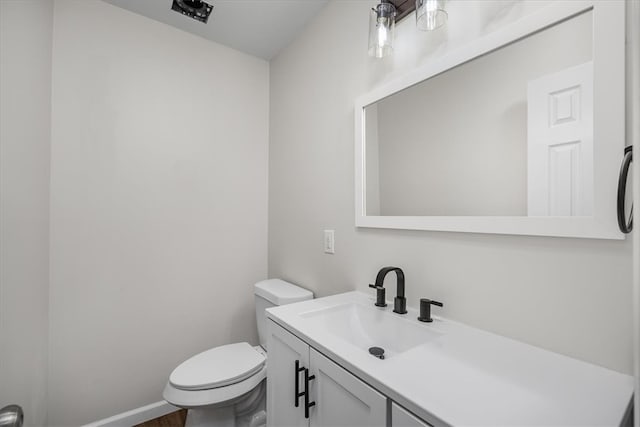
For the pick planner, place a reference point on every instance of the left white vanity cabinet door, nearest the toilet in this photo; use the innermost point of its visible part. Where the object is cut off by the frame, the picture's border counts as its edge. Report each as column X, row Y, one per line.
column 284, row 349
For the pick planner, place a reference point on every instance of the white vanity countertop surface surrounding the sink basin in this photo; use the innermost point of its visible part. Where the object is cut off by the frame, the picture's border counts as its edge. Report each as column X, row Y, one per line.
column 466, row 376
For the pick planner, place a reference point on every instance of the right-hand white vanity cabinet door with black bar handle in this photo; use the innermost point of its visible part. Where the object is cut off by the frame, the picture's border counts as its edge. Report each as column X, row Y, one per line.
column 342, row 399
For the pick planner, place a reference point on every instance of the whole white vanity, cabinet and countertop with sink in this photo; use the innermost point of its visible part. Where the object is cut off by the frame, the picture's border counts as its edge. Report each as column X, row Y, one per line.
column 440, row 374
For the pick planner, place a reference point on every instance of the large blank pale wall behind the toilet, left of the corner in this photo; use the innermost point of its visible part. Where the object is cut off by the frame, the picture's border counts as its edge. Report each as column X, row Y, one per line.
column 158, row 205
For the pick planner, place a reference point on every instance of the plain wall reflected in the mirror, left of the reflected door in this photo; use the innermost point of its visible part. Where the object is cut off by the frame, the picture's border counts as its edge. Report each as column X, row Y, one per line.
column 456, row 144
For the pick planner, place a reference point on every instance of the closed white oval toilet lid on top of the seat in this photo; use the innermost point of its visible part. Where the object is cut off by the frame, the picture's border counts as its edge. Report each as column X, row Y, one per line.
column 218, row 367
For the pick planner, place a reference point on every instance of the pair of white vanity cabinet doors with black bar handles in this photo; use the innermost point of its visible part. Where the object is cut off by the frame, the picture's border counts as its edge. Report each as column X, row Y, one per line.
column 335, row 397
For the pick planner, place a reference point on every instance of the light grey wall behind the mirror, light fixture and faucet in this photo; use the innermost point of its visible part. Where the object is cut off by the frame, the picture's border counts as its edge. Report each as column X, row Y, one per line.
column 568, row 295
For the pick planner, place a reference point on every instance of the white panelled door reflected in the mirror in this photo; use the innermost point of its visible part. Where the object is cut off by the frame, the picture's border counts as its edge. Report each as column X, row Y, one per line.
column 560, row 143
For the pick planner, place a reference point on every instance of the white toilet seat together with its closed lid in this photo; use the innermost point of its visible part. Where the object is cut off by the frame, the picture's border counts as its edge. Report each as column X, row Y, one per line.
column 236, row 384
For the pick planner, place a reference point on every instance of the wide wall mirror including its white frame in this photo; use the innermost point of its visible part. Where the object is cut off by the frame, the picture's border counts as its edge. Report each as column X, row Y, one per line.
column 506, row 137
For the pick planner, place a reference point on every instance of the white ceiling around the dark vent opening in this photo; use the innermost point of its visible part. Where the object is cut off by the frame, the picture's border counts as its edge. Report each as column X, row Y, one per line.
column 257, row 27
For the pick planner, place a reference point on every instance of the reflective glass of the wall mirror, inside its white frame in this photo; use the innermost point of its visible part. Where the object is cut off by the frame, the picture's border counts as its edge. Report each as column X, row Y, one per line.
column 509, row 133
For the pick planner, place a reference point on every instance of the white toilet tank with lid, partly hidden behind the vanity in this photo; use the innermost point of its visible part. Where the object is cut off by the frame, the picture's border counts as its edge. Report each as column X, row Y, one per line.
column 271, row 293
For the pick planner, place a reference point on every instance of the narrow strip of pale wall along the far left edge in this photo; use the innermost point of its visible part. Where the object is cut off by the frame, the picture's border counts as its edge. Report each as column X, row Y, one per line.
column 25, row 113
